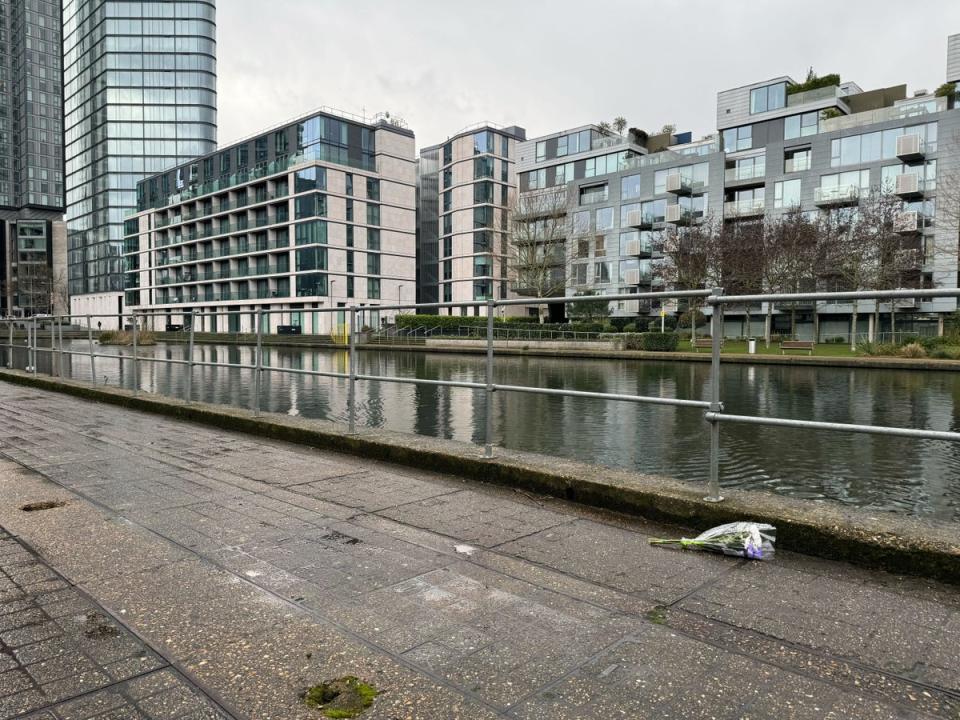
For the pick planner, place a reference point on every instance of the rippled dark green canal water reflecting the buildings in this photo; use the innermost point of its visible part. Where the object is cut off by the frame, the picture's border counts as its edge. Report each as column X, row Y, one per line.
column 900, row 475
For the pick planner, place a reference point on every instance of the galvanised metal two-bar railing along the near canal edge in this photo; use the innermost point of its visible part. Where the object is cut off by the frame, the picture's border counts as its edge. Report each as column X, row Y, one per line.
column 347, row 327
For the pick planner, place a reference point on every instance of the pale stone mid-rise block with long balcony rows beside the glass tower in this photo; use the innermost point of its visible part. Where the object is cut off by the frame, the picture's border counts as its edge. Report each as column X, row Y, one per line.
column 319, row 213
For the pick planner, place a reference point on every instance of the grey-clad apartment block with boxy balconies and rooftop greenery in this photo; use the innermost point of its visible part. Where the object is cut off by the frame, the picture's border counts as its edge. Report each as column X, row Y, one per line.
column 821, row 146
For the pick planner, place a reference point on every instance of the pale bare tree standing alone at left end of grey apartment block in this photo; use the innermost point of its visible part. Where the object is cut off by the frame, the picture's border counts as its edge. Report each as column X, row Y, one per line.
column 538, row 253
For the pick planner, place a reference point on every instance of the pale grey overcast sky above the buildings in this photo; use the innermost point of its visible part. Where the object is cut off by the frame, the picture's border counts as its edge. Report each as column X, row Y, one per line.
column 552, row 64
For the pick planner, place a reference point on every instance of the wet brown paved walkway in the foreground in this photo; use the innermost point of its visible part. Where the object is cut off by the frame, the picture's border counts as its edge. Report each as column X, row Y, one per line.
column 235, row 572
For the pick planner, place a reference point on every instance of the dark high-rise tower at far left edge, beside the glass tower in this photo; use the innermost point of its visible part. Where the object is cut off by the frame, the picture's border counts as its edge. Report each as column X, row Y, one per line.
column 32, row 251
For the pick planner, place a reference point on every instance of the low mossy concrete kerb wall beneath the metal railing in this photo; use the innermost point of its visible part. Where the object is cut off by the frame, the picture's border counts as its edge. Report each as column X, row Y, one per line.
column 878, row 540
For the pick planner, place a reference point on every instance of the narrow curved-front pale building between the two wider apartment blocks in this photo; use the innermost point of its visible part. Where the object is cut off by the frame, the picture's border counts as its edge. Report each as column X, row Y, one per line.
column 466, row 188
